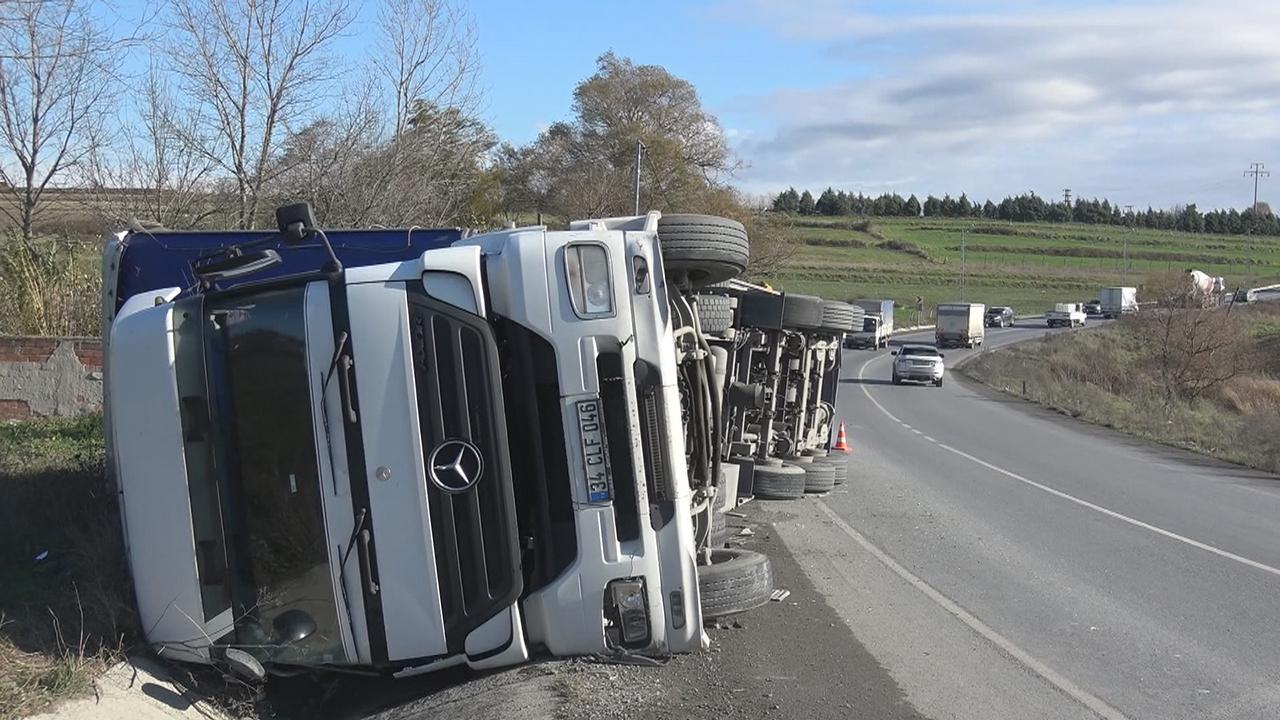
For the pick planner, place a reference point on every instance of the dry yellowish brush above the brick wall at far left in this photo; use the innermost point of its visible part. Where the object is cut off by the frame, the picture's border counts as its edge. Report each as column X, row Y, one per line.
column 49, row 288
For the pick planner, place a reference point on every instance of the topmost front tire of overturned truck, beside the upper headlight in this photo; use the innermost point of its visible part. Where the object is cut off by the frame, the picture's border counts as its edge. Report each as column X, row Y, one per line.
column 702, row 250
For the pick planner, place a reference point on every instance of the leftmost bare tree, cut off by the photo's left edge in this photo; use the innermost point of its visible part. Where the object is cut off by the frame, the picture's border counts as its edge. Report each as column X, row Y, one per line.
column 57, row 69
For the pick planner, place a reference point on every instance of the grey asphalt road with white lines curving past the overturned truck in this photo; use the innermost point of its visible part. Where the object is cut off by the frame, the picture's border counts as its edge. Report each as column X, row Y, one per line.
column 1005, row 562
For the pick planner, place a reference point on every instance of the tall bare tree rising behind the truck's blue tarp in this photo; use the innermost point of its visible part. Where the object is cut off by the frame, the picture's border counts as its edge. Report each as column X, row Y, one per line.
column 255, row 69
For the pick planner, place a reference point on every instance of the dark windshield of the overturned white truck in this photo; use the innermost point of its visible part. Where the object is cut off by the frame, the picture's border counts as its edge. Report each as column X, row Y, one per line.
column 262, row 461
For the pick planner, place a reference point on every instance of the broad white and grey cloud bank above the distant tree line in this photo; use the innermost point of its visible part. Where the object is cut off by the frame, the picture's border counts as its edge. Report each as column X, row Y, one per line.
column 1151, row 103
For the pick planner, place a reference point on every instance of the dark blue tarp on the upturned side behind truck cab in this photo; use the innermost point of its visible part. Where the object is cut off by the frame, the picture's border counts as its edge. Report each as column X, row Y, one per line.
column 163, row 259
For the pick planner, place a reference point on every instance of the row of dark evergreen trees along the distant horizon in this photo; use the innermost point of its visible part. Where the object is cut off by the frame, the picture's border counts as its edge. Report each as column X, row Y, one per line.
column 1030, row 208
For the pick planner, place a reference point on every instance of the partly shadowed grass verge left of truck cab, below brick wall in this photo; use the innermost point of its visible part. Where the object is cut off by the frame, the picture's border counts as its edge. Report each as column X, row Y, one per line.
column 65, row 595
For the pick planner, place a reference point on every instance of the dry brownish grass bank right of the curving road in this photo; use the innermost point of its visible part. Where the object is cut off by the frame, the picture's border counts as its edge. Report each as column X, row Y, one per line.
column 1110, row 377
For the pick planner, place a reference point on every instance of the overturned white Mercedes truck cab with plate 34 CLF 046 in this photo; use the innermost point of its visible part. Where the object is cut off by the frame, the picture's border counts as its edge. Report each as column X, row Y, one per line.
column 408, row 450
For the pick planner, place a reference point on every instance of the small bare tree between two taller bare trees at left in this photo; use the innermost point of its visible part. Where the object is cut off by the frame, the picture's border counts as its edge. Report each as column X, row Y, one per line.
column 152, row 174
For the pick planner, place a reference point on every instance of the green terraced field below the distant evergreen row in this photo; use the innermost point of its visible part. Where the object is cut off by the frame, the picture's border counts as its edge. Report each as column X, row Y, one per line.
column 1027, row 266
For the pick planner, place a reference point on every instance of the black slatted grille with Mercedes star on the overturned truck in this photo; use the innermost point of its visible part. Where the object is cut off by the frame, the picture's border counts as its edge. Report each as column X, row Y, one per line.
column 460, row 399
